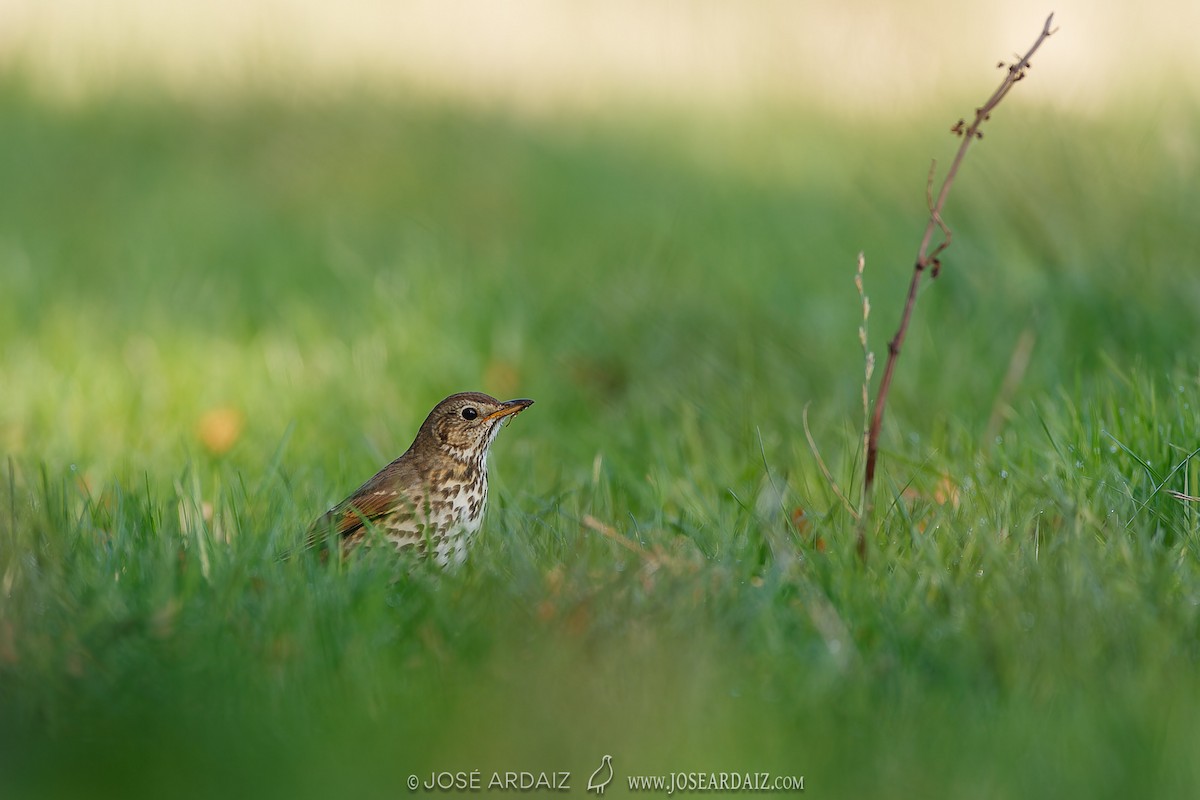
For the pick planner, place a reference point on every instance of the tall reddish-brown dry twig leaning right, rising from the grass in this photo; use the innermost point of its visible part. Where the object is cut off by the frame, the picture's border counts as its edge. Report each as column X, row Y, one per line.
column 931, row 261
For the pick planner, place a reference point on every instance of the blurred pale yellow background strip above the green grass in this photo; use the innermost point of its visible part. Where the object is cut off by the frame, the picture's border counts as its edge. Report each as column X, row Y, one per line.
column 855, row 57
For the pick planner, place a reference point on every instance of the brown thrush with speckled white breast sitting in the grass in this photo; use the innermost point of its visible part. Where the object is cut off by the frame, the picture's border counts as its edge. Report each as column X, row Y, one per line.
column 433, row 498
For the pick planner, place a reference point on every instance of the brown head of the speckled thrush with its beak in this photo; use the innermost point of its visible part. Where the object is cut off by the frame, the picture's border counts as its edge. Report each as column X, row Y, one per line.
column 464, row 426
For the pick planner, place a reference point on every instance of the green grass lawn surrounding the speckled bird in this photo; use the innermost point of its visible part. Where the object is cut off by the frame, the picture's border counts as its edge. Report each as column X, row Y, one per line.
column 674, row 292
